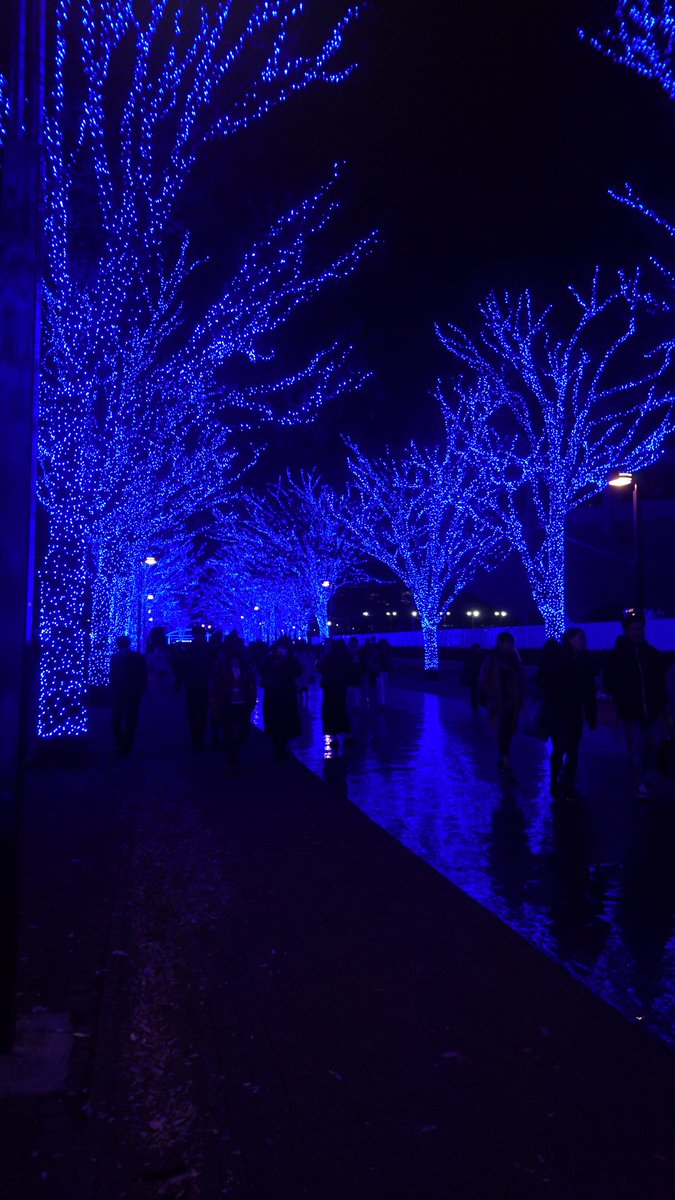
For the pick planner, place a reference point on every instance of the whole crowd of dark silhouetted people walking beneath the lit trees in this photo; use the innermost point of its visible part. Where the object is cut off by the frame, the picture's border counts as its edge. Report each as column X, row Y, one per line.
column 220, row 680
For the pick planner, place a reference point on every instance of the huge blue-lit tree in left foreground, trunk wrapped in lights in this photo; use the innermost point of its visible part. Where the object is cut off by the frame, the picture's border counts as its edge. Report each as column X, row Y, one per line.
column 130, row 385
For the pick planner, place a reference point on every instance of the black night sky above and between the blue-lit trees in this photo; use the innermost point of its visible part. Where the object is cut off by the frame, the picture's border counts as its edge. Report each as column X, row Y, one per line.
column 481, row 139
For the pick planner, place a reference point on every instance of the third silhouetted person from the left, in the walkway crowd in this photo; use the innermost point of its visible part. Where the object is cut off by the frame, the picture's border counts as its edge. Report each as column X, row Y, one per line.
column 232, row 697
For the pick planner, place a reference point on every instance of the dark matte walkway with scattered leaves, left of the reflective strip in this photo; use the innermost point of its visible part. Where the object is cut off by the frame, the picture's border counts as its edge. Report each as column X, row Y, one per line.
column 260, row 994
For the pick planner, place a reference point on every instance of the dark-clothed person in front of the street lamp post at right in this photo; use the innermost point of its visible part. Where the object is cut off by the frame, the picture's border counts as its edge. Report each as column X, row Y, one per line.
column 635, row 677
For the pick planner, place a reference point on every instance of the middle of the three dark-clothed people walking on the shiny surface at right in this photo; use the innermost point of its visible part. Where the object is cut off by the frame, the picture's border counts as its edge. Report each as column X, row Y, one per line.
column 569, row 689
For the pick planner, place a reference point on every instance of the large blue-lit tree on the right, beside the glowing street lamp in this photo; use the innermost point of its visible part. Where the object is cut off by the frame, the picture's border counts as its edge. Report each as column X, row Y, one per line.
column 568, row 409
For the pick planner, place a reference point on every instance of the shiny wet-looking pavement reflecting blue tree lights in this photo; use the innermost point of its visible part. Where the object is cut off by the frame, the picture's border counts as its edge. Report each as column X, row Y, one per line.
column 589, row 883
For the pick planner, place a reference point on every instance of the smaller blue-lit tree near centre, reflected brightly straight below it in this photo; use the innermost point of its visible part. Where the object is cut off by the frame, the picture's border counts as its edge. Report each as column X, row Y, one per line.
column 422, row 515
